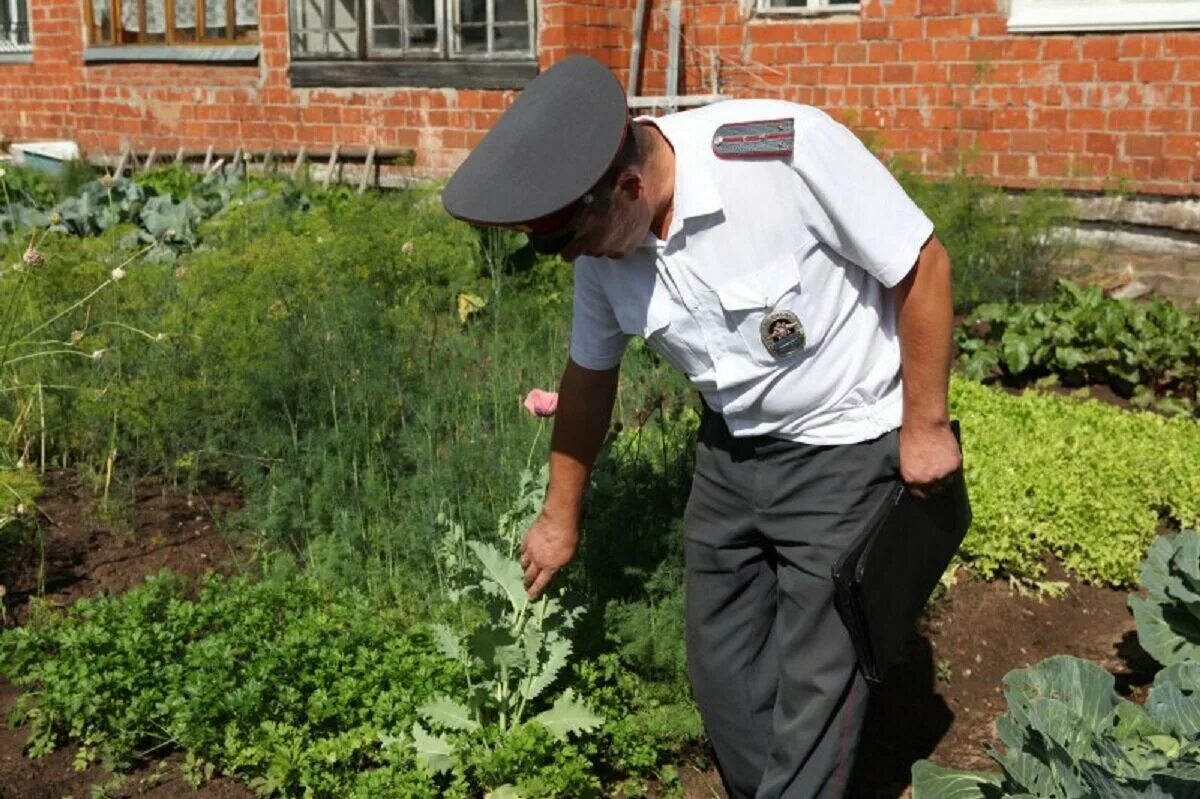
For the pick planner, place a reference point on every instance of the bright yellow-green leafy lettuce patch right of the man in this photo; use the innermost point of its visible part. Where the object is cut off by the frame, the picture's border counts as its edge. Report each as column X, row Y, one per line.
column 1084, row 482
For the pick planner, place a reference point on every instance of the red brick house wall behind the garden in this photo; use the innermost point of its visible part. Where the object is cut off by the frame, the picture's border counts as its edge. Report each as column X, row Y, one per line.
column 939, row 82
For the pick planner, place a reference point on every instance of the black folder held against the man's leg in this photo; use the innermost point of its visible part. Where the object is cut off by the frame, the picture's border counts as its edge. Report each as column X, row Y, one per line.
column 885, row 579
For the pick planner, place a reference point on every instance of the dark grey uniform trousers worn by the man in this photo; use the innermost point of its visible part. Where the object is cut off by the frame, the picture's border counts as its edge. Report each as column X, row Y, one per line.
column 772, row 666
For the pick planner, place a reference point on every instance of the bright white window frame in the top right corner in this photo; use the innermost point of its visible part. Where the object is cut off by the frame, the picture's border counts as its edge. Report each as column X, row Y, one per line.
column 1049, row 16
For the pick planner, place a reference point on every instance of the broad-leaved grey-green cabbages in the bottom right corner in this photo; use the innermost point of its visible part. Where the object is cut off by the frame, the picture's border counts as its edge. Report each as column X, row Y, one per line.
column 1067, row 735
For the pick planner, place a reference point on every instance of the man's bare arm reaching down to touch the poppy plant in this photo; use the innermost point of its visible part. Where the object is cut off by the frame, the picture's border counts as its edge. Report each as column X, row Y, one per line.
column 585, row 408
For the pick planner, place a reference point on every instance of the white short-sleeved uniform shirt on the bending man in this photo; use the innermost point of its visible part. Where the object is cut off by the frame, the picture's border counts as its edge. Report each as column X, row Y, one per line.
column 824, row 235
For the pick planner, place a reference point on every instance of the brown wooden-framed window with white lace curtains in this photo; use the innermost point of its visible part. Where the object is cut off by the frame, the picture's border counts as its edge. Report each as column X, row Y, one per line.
column 172, row 22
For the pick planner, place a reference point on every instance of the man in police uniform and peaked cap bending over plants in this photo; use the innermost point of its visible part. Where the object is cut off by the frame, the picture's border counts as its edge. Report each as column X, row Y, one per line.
column 764, row 251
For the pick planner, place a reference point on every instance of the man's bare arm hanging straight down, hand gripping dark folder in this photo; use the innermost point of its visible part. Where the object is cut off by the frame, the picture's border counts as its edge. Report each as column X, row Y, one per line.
column 926, row 320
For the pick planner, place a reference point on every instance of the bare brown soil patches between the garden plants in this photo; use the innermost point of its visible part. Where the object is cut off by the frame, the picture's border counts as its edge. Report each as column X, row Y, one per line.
column 941, row 704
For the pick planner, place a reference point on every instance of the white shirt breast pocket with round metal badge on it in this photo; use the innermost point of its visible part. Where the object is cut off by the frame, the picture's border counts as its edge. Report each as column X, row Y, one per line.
column 776, row 290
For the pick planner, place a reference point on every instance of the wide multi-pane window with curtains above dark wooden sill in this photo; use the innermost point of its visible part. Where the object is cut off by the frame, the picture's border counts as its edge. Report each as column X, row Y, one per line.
column 422, row 29
